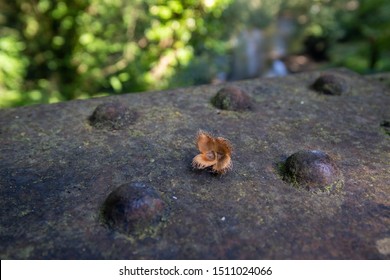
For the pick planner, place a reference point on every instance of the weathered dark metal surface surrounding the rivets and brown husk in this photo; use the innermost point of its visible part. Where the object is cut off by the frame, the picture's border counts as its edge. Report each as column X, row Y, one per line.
column 57, row 169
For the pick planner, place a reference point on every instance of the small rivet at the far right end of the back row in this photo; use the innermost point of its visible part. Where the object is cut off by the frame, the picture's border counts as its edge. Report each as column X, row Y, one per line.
column 331, row 84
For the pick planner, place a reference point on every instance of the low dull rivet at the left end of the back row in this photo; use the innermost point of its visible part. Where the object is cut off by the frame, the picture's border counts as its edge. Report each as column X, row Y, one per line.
column 113, row 115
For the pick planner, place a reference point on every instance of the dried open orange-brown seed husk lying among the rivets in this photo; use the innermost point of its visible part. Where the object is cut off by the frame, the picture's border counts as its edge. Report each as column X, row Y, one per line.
column 215, row 153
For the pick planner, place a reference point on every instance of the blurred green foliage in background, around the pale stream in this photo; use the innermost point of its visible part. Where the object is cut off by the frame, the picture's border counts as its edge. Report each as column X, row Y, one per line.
column 61, row 50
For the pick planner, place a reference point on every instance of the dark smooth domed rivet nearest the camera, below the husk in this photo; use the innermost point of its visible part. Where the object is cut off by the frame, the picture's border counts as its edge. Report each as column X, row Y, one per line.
column 133, row 208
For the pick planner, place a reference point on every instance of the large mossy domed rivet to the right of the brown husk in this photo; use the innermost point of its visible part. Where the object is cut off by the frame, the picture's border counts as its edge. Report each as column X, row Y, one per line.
column 313, row 170
